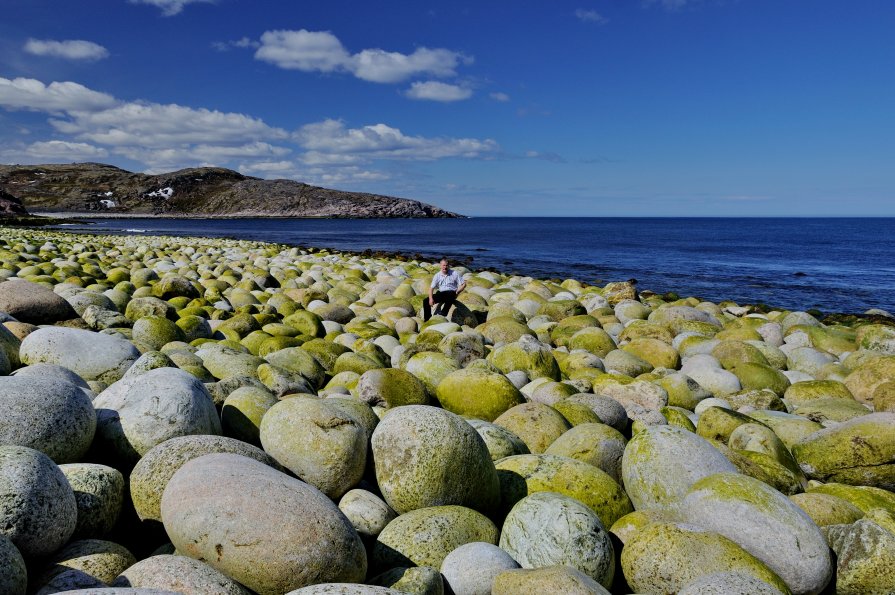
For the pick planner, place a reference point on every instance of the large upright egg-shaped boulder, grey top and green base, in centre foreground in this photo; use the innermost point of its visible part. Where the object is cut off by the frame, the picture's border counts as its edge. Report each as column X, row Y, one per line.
column 426, row 456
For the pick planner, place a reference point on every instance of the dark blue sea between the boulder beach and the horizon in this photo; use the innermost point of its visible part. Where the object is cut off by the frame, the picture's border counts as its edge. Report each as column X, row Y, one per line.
column 834, row 265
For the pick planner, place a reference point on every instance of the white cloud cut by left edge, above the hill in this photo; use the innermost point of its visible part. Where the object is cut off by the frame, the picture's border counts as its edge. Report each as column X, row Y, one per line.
column 33, row 95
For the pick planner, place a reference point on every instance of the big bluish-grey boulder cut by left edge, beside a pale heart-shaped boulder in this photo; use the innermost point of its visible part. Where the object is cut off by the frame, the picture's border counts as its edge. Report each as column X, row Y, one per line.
column 48, row 414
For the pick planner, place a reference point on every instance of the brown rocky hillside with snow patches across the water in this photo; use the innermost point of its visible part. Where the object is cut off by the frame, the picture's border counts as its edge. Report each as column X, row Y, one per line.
column 198, row 192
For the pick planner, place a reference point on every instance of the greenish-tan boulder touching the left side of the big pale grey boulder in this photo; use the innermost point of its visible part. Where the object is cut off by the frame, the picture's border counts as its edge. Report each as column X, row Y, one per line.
column 594, row 443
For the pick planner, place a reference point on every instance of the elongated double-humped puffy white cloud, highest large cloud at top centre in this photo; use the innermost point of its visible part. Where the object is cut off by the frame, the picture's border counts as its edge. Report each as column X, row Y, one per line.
column 321, row 51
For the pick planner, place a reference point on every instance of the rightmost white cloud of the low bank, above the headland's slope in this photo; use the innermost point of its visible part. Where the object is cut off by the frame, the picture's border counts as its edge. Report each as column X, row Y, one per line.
column 380, row 141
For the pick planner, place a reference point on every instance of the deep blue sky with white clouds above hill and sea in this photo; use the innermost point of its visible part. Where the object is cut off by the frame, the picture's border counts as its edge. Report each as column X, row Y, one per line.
column 594, row 108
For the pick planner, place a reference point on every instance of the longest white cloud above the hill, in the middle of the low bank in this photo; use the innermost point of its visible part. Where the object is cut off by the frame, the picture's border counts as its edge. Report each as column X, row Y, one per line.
column 154, row 125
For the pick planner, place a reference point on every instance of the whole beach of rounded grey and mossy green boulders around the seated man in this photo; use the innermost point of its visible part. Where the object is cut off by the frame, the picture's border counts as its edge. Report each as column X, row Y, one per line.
column 218, row 416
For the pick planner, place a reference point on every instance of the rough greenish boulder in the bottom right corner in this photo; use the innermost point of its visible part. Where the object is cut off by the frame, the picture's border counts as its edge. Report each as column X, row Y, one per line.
column 864, row 554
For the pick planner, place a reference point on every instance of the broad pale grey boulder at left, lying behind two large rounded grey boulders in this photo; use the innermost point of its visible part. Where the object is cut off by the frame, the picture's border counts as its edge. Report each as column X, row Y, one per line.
column 92, row 356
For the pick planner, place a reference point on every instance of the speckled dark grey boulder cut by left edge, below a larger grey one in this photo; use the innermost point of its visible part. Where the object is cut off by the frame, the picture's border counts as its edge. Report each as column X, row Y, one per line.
column 38, row 511
